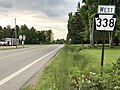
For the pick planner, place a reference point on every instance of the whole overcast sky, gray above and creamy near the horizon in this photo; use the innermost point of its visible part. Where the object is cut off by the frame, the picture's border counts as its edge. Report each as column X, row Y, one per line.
column 42, row 14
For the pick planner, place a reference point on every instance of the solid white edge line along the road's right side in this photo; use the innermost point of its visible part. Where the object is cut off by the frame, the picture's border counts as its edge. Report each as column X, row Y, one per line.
column 26, row 67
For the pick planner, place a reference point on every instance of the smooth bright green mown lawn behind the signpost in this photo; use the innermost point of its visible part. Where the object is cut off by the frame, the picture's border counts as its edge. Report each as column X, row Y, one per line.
column 110, row 56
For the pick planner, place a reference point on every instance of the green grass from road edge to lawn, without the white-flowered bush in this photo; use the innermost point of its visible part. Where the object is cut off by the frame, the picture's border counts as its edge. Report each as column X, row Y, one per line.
column 71, row 65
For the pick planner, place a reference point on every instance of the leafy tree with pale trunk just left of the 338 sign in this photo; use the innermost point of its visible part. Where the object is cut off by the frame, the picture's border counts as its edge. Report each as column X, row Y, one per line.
column 91, row 8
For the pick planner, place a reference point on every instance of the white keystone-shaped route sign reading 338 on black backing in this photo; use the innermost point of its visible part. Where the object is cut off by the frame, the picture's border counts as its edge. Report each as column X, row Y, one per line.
column 105, row 22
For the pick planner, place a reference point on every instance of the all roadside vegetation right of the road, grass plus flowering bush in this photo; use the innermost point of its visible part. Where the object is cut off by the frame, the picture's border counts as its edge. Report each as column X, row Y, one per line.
column 78, row 68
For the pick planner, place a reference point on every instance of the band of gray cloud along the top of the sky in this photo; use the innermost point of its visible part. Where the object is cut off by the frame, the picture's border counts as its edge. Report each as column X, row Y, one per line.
column 52, row 8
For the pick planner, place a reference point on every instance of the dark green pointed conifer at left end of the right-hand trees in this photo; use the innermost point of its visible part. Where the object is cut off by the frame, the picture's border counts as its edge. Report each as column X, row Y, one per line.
column 75, row 27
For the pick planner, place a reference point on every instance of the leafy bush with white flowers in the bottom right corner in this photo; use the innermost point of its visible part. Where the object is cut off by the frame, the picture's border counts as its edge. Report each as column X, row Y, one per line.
column 107, row 81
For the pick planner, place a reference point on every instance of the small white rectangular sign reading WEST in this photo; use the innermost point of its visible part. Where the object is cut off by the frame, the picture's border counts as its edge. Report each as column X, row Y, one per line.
column 106, row 9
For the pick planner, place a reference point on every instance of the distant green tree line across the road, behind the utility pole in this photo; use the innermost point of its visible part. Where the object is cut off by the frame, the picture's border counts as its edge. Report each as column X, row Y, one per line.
column 32, row 35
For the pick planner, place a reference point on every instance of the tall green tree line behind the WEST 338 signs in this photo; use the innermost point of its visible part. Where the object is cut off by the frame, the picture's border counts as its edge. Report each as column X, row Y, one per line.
column 81, row 24
